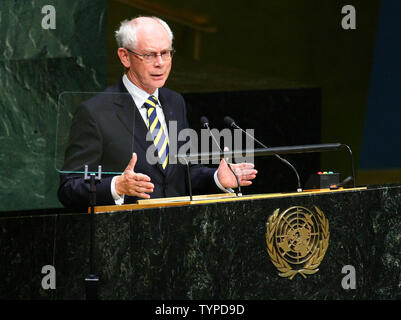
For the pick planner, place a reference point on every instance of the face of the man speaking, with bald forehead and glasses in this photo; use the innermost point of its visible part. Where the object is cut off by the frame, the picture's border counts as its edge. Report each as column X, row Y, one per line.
column 151, row 38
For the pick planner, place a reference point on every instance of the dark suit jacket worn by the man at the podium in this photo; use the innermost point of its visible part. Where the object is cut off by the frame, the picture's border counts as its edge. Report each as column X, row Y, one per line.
column 106, row 130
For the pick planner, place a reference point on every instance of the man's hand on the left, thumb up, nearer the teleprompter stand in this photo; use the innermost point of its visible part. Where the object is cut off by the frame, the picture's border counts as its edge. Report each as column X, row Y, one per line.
column 134, row 184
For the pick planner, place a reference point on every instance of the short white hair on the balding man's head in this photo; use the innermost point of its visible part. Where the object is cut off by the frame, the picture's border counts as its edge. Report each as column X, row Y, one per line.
column 126, row 34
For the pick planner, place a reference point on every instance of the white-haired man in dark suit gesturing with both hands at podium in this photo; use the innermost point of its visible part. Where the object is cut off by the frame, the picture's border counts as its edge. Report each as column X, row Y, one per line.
column 146, row 52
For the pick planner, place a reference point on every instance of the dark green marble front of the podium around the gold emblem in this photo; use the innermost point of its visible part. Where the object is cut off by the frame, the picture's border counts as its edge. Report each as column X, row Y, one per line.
column 213, row 251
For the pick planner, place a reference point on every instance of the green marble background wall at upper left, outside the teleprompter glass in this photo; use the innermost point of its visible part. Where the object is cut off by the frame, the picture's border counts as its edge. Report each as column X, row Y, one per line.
column 36, row 65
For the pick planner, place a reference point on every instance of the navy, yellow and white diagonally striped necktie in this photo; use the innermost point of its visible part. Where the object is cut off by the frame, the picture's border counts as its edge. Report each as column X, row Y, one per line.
column 156, row 129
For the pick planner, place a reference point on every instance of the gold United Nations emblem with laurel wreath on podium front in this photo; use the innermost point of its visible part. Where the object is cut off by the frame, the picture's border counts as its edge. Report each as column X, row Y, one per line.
column 297, row 240
